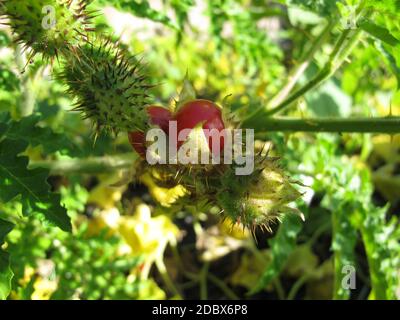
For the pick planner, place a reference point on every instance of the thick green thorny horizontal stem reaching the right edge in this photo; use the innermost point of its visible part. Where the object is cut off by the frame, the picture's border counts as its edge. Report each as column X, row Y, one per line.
column 389, row 125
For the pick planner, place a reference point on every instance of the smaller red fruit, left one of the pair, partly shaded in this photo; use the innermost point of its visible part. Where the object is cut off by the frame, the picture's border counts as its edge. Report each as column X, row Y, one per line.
column 159, row 116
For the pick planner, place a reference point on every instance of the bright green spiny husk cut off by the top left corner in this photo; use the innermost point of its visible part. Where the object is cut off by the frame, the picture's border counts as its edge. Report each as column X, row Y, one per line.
column 48, row 27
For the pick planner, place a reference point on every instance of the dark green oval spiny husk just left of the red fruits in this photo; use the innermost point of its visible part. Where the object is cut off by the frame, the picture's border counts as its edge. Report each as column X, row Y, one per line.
column 109, row 87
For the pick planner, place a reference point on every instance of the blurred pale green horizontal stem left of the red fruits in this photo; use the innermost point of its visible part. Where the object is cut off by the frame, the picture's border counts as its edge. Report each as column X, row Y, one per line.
column 89, row 165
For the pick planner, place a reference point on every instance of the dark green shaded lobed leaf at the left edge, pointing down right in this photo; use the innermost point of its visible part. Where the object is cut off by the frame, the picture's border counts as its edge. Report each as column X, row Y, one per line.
column 30, row 185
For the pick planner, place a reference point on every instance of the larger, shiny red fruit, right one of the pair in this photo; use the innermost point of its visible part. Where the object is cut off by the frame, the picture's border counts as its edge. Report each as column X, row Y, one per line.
column 194, row 112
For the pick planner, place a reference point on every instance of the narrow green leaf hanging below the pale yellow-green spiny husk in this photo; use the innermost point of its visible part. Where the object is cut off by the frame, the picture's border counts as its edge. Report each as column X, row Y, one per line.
column 282, row 245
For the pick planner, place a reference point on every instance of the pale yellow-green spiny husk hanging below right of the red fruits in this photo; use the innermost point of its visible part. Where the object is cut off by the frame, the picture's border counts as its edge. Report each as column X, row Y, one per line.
column 259, row 199
